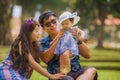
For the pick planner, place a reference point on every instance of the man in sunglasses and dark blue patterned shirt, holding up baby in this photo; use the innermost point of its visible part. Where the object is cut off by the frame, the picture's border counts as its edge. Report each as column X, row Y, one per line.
column 49, row 22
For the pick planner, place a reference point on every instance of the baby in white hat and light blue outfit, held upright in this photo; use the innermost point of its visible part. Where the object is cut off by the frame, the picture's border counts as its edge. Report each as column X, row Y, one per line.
column 67, row 47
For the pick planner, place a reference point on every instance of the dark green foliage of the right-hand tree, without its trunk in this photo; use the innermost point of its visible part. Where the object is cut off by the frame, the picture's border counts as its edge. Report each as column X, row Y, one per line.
column 90, row 9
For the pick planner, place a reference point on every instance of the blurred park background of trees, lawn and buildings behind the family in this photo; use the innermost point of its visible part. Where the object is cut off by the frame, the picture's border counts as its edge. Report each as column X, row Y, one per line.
column 100, row 19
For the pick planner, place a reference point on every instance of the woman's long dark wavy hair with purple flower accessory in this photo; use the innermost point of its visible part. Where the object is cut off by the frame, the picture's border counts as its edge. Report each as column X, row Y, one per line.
column 26, row 46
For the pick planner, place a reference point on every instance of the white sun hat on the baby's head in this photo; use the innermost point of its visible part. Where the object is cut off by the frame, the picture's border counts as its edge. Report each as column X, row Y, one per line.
column 67, row 15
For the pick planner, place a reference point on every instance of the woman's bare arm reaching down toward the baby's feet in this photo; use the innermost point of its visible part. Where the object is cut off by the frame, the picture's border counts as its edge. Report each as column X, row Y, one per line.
column 39, row 69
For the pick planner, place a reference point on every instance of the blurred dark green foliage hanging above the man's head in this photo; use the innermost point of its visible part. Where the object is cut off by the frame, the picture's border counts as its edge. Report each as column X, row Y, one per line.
column 42, row 5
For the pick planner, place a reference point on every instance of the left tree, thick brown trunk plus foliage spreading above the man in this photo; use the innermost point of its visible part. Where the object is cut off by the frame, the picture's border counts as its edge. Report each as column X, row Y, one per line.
column 29, row 7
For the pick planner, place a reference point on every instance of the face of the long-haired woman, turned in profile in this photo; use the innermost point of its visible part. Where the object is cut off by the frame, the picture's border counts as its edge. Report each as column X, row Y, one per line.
column 35, row 35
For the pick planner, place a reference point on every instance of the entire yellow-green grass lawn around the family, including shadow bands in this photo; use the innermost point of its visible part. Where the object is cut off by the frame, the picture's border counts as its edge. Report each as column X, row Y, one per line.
column 107, row 63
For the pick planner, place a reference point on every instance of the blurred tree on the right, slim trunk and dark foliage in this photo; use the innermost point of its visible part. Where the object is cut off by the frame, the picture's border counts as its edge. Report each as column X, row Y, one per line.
column 90, row 10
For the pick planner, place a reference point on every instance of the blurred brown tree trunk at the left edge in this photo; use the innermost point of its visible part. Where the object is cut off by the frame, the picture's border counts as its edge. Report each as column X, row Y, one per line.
column 5, row 16
